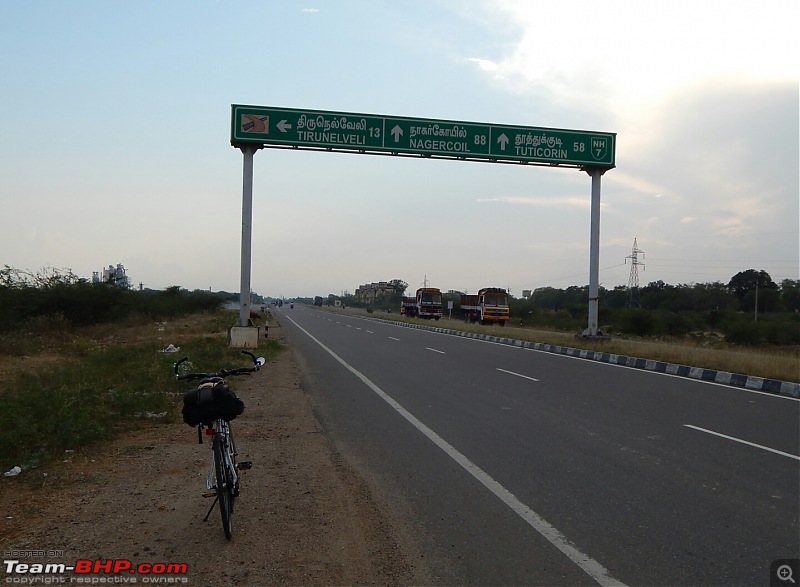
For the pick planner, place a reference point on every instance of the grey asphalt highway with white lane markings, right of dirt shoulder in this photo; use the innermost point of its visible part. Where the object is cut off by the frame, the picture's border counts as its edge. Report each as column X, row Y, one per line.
column 518, row 467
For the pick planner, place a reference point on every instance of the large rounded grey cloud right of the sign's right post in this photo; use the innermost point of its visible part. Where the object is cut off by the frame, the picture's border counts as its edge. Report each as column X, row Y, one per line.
column 723, row 155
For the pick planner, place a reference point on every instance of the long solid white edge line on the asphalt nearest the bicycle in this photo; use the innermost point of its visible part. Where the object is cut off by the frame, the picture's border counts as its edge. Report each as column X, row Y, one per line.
column 590, row 566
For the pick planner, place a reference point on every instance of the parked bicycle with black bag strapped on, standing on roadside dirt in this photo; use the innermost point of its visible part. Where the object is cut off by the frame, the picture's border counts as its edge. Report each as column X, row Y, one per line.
column 212, row 405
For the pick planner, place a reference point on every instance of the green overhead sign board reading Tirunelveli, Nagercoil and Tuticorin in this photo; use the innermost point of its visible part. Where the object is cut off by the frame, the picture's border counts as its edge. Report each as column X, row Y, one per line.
column 373, row 133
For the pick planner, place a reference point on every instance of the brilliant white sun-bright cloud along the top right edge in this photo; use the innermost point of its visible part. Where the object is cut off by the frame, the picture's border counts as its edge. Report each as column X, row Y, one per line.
column 619, row 58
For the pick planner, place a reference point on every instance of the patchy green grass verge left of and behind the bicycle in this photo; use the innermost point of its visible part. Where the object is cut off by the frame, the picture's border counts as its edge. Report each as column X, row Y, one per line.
column 90, row 395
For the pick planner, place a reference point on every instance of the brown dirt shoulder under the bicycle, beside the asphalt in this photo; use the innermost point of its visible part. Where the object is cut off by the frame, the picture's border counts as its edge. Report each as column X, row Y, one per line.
column 305, row 517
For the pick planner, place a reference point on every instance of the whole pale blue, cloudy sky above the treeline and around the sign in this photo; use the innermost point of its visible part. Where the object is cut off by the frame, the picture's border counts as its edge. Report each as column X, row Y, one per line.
column 115, row 141
